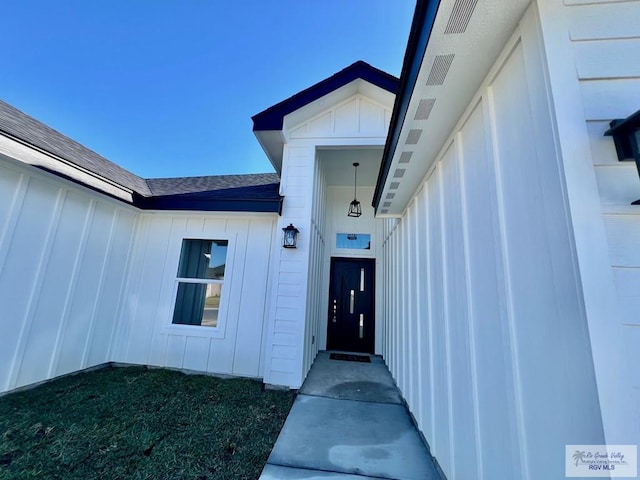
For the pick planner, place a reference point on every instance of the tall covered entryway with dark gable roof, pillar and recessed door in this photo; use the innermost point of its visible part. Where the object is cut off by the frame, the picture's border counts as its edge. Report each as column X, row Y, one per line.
column 314, row 139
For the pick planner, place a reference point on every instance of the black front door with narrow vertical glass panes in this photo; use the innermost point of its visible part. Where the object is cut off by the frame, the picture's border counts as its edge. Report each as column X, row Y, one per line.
column 351, row 323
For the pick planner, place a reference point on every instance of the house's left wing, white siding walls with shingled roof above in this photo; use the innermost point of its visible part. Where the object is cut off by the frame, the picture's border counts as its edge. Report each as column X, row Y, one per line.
column 89, row 261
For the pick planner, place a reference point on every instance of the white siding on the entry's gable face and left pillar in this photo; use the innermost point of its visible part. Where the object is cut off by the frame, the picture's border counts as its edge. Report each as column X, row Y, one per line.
column 299, row 274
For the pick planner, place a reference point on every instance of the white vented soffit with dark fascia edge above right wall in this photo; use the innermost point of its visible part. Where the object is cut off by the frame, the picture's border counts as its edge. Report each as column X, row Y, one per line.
column 451, row 49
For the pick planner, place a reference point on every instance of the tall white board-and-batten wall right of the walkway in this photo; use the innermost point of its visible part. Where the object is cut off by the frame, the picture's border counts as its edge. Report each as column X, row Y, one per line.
column 481, row 268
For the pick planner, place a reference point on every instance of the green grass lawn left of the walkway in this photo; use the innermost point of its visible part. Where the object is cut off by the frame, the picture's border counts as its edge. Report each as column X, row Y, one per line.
column 139, row 423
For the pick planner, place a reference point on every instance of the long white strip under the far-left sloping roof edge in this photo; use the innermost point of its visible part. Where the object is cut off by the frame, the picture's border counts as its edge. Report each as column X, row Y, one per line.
column 30, row 155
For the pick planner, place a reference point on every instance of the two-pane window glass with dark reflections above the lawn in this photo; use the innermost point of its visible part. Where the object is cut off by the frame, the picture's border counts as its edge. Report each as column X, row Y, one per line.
column 200, row 280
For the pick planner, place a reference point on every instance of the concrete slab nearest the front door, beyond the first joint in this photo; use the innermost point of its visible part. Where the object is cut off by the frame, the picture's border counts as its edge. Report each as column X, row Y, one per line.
column 367, row 382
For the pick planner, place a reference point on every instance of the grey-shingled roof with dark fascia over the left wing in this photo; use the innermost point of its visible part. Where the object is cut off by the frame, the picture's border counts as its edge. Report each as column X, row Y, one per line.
column 73, row 161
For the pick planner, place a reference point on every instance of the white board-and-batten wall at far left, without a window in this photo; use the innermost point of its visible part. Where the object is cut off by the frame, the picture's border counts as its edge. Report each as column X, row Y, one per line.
column 63, row 261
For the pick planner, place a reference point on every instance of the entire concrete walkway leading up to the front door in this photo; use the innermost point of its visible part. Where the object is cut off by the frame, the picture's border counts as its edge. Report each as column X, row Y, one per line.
column 348, row 422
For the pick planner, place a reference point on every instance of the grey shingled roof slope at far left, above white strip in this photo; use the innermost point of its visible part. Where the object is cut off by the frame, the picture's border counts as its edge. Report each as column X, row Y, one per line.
column 29, row 130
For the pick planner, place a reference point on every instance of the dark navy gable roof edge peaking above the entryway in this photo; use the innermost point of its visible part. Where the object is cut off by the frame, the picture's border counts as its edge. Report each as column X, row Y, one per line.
column 272, row 118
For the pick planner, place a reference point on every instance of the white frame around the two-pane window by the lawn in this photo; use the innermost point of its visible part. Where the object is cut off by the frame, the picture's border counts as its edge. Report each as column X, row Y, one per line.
column 203, row 330
